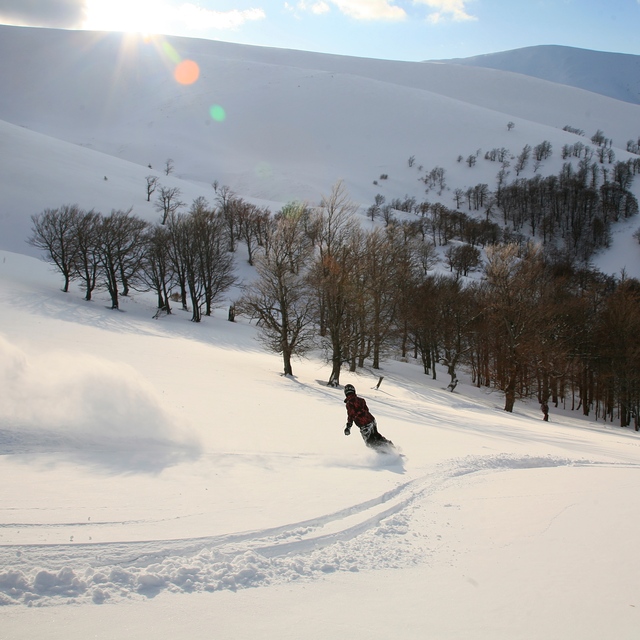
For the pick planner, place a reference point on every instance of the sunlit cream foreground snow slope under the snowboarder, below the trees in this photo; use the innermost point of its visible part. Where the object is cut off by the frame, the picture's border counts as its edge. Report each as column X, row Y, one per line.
column 166, row 471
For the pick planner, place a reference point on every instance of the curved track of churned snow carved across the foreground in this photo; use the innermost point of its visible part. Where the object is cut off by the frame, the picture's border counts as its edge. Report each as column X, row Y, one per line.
column 373, row 534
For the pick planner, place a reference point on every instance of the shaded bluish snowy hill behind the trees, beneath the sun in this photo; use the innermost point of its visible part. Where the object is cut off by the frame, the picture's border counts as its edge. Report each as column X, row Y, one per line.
column 79, row 107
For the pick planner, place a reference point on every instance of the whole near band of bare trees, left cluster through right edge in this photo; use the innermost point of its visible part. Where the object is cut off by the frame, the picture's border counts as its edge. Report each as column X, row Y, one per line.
column 536, row 324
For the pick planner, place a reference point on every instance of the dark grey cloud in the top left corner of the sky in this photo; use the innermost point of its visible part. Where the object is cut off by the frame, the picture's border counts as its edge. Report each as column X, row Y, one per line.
column 43, row 13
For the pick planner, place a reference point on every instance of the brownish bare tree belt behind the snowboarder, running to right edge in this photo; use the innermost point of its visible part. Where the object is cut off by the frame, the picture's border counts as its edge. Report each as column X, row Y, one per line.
column 536, row 325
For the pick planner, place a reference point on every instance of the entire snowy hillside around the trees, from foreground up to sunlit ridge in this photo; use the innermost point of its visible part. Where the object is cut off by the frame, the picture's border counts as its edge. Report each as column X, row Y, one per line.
column 161, row 478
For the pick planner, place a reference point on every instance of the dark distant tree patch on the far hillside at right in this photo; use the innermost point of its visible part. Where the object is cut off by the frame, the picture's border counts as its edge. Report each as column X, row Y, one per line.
column 572, row 211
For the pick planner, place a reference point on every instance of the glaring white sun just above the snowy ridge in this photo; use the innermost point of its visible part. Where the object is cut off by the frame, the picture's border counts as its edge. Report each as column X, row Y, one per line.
column 132, row 16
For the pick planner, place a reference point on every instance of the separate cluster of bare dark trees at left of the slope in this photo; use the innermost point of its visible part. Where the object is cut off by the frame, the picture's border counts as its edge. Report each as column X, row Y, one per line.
column 119, row 252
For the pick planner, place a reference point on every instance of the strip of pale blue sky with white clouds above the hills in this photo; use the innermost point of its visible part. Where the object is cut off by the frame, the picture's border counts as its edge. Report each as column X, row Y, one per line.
column 409, row 30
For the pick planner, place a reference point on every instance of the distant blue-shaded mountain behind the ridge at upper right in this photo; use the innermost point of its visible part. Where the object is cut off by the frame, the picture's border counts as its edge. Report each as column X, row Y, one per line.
column 616, row 75
